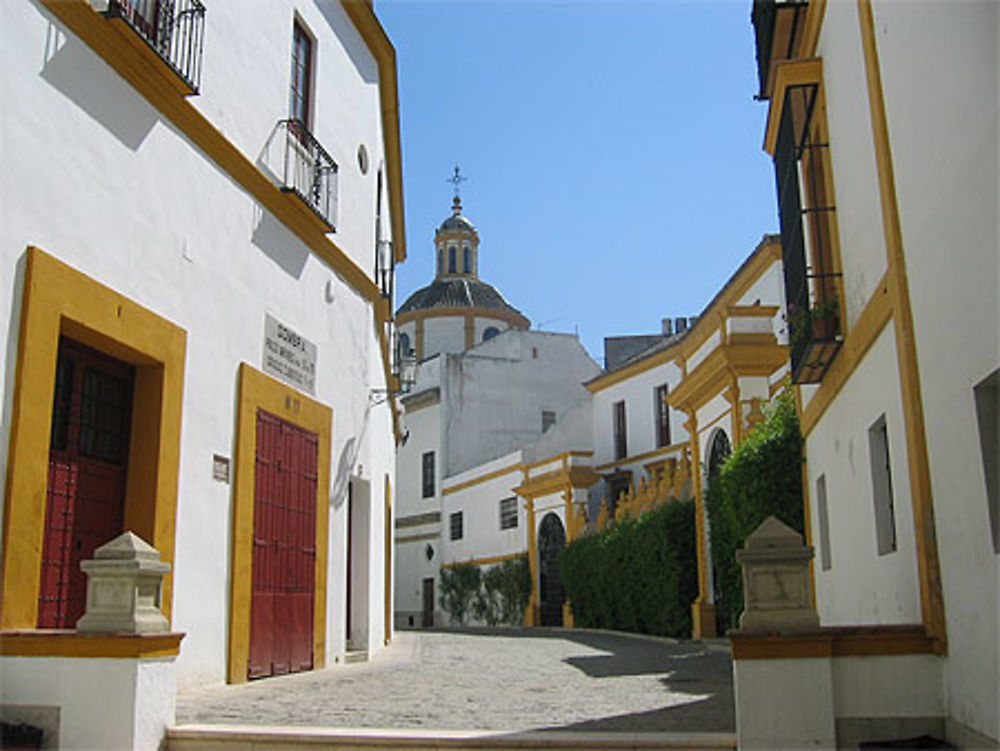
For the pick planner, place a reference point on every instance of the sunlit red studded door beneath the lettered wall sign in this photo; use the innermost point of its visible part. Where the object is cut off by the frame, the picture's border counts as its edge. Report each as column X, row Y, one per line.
column 284, row 548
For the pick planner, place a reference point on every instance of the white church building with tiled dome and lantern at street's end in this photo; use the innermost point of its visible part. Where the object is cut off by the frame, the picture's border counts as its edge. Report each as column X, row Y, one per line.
column 486, row 386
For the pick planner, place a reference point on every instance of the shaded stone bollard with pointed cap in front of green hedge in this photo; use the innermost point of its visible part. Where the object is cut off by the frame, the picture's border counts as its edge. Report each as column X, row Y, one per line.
column 776, row 586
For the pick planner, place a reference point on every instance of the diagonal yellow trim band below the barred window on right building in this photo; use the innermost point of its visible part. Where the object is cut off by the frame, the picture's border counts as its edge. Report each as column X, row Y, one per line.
column 874, row 317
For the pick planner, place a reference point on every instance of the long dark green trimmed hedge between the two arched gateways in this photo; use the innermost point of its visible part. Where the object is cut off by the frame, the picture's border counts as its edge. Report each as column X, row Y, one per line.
column 641, row 575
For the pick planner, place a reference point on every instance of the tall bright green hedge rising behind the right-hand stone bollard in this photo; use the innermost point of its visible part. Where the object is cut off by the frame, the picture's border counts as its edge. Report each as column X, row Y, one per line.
column 762, row 477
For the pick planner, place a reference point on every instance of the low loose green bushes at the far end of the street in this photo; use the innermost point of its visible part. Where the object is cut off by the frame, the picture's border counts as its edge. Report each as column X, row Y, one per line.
column 494, row 595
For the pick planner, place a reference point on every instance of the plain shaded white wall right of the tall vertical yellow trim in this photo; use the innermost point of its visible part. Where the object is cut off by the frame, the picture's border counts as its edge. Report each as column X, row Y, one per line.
column 948, row 198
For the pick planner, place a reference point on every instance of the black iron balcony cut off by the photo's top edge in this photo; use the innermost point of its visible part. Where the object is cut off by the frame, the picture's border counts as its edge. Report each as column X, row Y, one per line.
column 174, row 29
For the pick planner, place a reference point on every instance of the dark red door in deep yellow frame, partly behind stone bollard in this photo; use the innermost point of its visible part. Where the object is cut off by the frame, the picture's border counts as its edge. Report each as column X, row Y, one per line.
column 88, row 464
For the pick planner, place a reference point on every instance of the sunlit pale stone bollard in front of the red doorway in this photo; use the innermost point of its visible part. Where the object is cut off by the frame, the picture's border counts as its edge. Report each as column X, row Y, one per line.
column 124, row 588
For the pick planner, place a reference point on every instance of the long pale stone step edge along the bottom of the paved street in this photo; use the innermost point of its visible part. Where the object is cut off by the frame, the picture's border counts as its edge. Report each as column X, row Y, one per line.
column 288, row 738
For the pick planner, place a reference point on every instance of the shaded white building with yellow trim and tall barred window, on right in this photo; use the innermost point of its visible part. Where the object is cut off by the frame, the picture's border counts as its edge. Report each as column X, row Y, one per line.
column 883, row 127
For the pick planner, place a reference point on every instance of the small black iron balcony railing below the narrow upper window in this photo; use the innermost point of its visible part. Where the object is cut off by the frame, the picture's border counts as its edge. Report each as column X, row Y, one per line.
column 309, row 171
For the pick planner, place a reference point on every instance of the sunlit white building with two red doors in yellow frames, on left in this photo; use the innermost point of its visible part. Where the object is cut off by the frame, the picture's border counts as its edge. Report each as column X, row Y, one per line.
column 200, row 218
